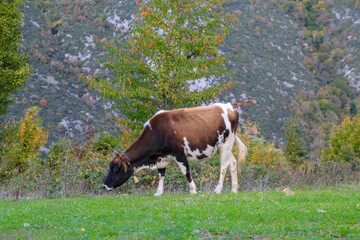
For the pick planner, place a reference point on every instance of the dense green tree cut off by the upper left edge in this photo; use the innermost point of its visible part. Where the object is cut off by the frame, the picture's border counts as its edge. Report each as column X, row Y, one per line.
column 14, row 68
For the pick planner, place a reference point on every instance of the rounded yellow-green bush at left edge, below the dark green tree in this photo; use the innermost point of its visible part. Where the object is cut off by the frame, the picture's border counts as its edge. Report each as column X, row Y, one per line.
column 20, row 144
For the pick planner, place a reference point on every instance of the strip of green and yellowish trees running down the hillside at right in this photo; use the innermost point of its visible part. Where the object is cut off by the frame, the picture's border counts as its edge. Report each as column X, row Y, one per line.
column 334, row 99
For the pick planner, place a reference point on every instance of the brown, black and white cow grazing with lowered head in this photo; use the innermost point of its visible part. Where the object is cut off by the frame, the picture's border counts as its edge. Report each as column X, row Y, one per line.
column 183, row 135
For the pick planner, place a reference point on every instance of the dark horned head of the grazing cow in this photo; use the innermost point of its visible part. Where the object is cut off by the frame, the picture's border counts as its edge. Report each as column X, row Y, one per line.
column 120, row 171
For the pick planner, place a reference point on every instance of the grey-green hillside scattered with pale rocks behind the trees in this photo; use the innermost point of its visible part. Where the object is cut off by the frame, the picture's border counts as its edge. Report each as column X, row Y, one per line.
column 65, row 38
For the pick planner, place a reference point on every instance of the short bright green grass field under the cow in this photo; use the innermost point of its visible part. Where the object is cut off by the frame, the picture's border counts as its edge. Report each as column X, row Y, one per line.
column 309, row 214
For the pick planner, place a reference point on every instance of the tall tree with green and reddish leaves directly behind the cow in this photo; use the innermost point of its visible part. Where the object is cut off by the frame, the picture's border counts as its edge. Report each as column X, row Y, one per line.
column 171, row 45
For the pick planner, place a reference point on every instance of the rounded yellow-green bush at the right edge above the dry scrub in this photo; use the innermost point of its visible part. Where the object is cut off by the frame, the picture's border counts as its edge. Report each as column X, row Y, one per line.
column 345, row 142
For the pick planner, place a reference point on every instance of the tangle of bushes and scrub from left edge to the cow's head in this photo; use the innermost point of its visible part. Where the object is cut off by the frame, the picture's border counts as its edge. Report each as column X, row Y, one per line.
column 69, row 166
